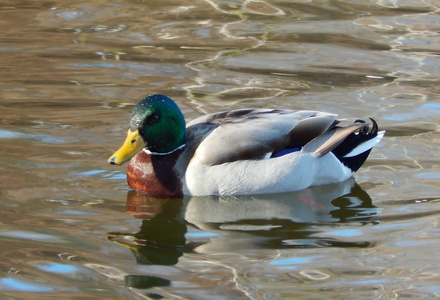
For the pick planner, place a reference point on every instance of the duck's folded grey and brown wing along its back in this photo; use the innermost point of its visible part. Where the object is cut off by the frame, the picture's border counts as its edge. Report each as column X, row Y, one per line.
column 251, row 134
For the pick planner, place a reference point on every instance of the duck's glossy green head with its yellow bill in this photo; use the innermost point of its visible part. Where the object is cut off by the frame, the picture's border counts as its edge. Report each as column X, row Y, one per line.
column 156, row 124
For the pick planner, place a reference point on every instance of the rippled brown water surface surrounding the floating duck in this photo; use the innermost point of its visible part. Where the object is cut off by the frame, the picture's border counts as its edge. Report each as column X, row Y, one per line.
column 71, row 73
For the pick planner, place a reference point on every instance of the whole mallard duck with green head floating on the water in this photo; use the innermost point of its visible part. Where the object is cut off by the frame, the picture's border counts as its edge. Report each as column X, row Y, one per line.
column 239, row 152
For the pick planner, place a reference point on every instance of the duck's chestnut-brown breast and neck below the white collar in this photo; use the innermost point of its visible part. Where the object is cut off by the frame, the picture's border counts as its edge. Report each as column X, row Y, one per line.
column 154, row 173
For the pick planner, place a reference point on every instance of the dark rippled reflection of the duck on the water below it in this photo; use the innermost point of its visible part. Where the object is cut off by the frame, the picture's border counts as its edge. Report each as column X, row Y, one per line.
column 235, row 223
